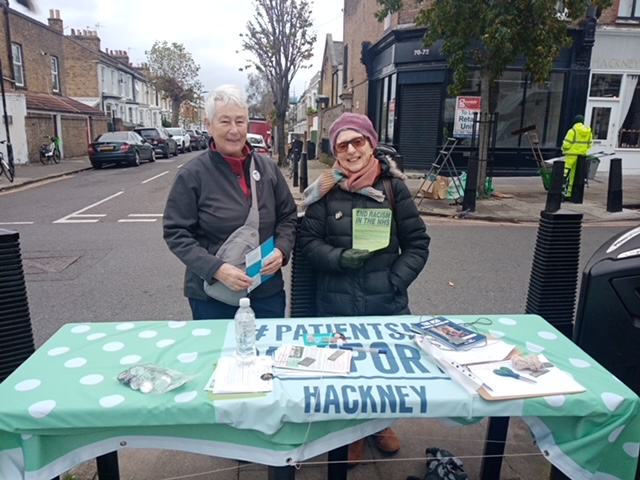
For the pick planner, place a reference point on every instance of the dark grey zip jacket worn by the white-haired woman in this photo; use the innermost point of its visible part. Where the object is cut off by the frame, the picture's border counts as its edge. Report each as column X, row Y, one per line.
column 206, row 204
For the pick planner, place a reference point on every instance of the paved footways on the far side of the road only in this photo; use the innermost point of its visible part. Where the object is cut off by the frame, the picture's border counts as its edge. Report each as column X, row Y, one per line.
column 515, row 199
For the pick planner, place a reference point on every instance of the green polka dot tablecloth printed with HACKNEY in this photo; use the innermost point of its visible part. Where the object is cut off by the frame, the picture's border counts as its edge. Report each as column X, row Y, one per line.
column 64, row 405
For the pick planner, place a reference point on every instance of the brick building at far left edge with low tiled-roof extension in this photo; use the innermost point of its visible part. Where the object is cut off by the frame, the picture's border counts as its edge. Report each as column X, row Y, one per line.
column 36, row 90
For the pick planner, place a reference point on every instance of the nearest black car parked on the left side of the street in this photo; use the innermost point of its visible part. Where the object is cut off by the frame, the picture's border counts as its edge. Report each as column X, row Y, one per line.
column 120, row 148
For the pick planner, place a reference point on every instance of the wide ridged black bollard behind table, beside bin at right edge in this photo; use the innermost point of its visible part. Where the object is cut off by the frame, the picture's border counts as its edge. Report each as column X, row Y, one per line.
column 554, row 274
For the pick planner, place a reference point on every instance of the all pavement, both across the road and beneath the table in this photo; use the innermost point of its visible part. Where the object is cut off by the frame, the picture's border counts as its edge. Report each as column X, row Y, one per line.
column 516, row 200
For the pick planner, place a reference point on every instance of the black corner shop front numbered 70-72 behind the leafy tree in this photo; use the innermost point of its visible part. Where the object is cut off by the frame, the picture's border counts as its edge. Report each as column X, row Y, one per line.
column 407, row 101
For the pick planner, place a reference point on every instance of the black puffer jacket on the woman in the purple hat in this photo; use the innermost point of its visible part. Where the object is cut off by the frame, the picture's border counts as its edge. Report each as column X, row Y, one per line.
column 380, row 286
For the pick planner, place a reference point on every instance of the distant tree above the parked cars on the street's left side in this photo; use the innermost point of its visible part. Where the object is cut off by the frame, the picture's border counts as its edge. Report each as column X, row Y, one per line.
column 172, row 70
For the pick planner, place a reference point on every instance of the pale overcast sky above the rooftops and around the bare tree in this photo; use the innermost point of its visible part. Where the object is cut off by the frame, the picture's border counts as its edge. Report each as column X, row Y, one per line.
column 207, row 28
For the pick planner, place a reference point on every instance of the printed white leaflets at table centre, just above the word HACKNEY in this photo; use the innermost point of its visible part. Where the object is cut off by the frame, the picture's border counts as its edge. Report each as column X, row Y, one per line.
column 304, row 360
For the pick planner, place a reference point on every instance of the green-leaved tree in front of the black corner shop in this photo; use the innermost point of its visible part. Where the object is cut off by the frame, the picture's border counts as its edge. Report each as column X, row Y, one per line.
column 495, row 33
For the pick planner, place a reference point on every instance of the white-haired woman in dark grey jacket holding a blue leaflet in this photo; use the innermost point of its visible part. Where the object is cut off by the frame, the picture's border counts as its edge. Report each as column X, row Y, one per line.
column 211, row 197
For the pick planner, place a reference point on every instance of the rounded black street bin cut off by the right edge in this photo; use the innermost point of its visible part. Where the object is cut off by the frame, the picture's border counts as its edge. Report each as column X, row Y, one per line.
column 607, row 324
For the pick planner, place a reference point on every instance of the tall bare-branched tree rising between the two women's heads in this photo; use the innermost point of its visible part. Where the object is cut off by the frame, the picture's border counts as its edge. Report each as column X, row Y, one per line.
column 281, row 40
